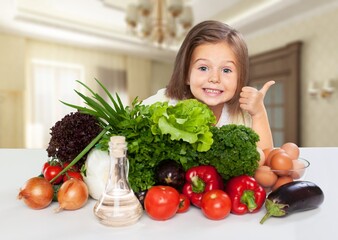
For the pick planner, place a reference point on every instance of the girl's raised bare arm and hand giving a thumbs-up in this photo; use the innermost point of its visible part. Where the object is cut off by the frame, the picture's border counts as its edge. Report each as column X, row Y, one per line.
column 252, row 100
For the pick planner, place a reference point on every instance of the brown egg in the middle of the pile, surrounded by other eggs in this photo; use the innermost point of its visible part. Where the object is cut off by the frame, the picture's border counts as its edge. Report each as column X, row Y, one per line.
column 281, row 162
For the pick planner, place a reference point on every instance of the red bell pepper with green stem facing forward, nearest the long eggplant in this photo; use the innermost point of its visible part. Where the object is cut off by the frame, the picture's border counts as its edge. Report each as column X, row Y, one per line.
column 245, row 193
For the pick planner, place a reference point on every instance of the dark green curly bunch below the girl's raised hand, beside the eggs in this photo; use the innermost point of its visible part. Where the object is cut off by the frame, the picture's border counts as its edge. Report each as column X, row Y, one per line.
column 234, row 151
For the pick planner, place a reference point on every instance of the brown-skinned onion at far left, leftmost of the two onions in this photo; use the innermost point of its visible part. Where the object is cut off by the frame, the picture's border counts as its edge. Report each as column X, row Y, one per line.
column 37, row 193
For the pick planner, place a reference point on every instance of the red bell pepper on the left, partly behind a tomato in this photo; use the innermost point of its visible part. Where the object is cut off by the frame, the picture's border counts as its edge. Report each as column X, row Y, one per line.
column 199, row 180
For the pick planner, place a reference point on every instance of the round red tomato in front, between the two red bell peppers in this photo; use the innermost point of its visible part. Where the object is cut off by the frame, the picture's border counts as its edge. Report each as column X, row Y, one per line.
column 216, row 204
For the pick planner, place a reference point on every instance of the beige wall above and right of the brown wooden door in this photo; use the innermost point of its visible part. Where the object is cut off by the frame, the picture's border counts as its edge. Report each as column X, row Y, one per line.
column 319, row 62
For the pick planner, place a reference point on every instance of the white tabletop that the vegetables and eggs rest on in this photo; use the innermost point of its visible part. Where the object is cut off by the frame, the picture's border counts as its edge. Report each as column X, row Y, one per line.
column 17, row 221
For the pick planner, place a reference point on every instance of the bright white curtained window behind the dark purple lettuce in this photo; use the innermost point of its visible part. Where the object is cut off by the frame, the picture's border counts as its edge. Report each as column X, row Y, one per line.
column 50, row 83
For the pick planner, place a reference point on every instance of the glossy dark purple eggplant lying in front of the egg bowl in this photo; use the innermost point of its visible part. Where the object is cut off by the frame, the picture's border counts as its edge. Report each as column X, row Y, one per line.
column 293, row 197
